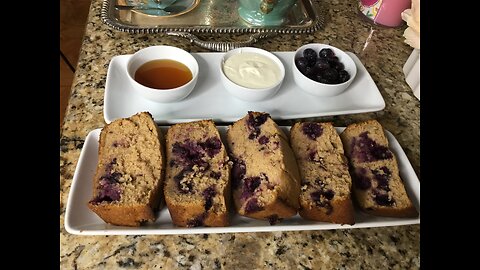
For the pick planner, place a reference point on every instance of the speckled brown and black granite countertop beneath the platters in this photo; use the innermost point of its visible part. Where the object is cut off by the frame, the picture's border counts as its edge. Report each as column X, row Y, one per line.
column 383, row 53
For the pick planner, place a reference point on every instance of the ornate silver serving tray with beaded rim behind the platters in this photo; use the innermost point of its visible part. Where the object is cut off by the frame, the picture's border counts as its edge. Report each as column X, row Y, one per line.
column 213, row 16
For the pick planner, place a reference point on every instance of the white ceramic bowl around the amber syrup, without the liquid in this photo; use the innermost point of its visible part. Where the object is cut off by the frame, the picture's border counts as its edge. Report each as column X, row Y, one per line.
column 156, row 53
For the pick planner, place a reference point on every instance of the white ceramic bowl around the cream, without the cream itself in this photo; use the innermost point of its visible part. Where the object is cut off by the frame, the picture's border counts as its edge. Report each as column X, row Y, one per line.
column 246, row 93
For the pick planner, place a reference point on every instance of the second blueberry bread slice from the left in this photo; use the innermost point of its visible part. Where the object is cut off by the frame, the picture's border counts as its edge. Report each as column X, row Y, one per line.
column 197, row 185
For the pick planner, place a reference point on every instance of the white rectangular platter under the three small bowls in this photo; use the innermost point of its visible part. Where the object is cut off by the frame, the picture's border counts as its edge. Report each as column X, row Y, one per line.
column 210, row 100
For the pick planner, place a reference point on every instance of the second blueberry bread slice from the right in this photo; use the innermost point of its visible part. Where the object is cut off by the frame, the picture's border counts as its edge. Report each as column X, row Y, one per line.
column 326, row 184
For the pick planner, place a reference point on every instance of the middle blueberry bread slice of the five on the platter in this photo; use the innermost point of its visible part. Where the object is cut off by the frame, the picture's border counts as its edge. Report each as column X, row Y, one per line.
column 265, row 177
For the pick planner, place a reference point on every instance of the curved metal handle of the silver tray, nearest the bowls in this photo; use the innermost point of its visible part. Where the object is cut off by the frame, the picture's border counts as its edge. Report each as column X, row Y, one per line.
column 221, row 46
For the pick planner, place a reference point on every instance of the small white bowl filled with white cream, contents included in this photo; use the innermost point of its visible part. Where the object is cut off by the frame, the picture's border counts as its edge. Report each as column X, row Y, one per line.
column 251, row 74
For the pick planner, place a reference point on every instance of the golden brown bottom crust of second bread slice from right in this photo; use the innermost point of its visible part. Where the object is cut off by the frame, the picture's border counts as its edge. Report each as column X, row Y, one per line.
column 342, row 212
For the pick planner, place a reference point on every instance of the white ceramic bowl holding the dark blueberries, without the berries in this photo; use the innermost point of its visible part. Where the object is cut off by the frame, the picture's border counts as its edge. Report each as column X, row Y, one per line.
column 322, row 89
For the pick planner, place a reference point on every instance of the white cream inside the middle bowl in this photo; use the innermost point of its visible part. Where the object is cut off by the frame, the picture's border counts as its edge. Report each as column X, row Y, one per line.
column 252, row 70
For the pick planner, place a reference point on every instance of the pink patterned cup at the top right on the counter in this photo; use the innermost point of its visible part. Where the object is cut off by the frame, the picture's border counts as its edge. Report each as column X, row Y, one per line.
column 384, row 12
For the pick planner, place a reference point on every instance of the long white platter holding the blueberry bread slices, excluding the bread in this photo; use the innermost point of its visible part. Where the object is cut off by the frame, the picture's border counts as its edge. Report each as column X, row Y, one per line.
column 79, row 219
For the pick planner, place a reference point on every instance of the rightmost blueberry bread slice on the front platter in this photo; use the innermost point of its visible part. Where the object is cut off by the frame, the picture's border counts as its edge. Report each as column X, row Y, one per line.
column 377, row 185
